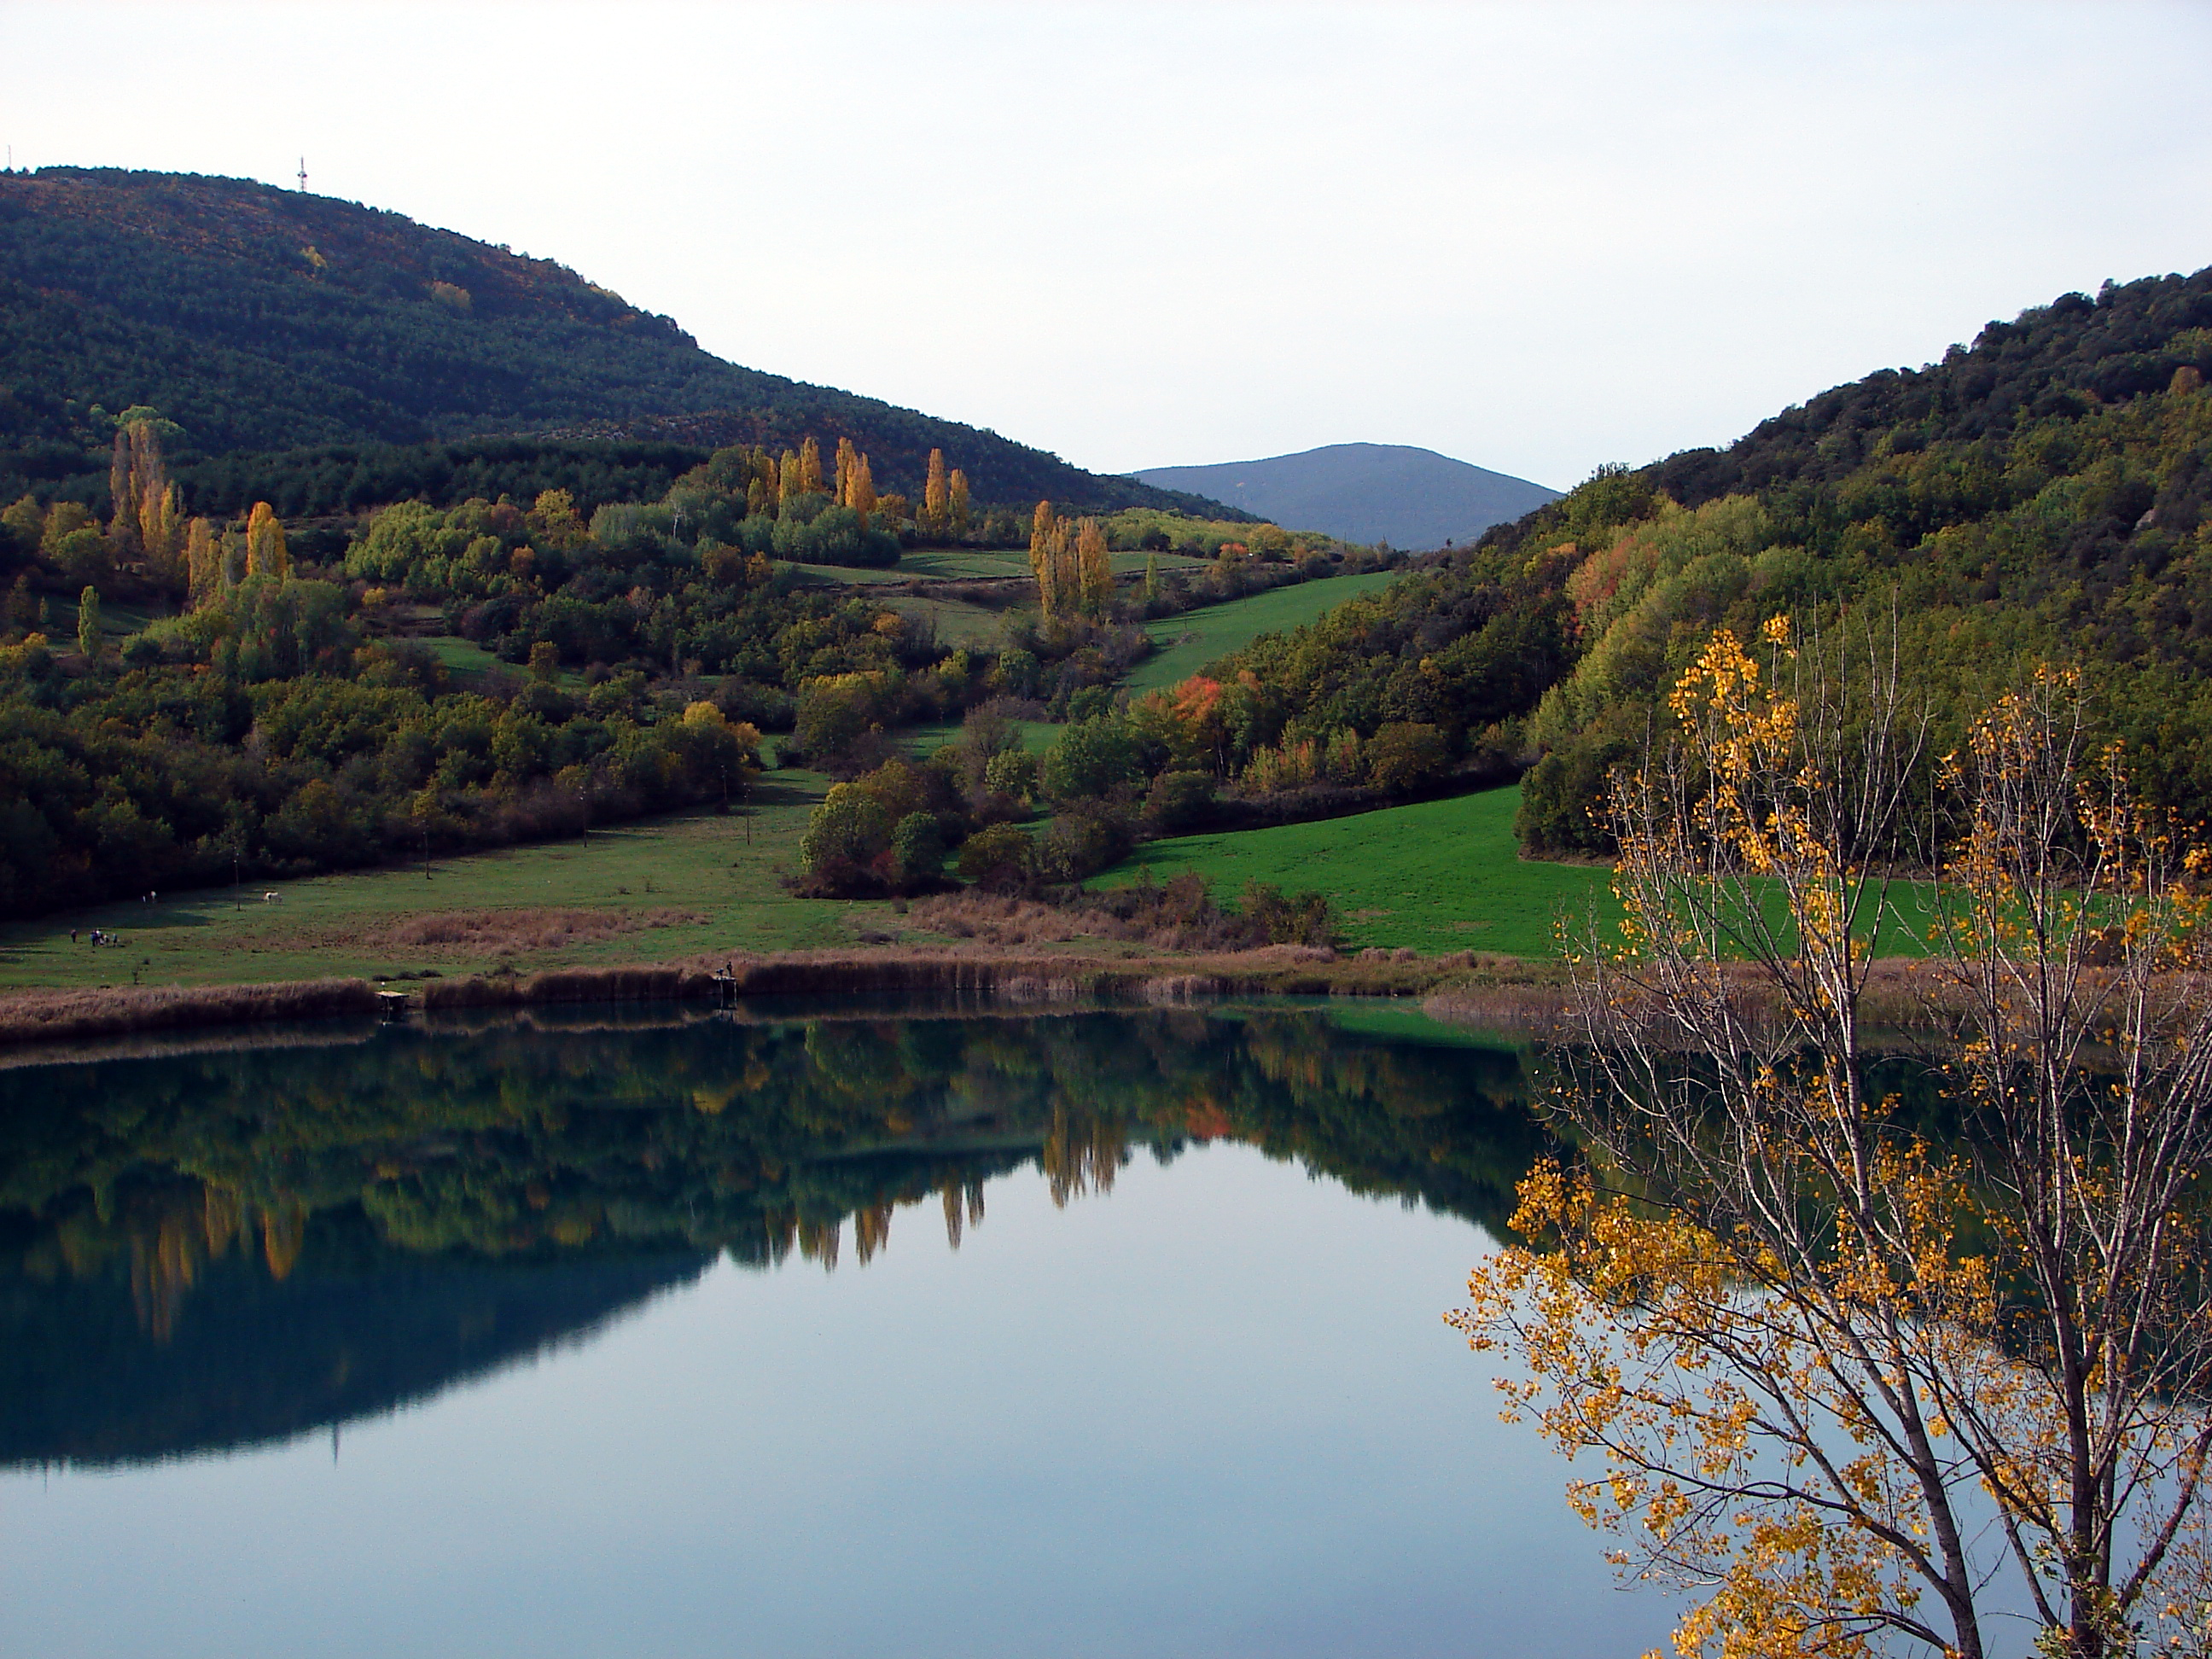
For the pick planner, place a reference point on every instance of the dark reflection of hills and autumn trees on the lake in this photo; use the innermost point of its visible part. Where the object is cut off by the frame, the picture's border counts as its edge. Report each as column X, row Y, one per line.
column 225, row 1249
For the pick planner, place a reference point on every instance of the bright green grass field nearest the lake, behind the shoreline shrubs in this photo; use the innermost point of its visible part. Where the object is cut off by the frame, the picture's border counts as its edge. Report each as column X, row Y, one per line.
column 1439, row 877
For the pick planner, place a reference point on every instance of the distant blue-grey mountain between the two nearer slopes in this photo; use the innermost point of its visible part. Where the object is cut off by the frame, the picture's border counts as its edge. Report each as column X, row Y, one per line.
column 1392, row 494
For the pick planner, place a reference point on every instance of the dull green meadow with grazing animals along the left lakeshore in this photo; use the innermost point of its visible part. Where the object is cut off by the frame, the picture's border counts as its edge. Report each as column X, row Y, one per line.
column 718, row 870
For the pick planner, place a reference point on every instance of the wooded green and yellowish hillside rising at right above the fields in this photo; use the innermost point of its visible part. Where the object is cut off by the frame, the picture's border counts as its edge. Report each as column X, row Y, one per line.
column 2038, row 497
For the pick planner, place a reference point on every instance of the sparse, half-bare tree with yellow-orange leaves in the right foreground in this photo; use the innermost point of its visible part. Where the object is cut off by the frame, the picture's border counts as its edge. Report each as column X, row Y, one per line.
column 1846, row 1384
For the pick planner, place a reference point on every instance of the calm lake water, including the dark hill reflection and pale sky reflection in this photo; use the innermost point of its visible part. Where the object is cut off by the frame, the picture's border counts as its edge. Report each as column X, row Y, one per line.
column 791, row 1335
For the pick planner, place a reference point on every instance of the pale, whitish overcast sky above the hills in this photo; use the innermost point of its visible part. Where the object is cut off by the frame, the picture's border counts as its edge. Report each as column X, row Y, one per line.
column 1536, row 238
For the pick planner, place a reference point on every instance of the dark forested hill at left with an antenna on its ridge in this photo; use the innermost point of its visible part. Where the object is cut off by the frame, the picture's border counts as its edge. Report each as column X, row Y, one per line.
column 271, row 320
